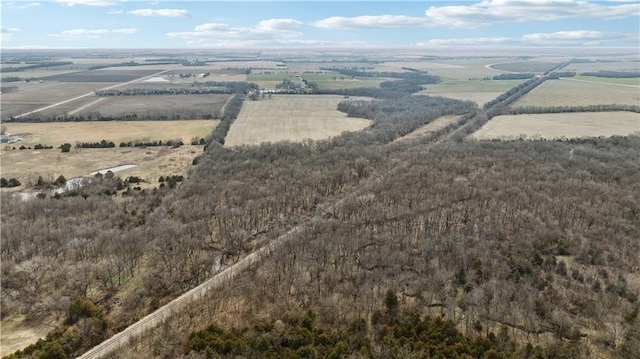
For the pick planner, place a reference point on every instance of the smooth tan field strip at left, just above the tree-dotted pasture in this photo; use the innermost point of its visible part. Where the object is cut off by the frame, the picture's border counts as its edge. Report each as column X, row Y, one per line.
column 57, row 133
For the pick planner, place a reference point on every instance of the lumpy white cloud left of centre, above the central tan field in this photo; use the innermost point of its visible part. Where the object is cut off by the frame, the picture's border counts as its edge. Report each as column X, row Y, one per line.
column 264, row 31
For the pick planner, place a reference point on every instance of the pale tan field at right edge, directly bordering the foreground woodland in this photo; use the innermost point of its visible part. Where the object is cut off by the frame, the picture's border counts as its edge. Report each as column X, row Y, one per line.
column 560, row 125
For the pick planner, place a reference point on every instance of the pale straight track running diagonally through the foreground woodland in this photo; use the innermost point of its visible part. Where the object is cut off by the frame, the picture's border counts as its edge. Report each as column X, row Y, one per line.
column 175, row 306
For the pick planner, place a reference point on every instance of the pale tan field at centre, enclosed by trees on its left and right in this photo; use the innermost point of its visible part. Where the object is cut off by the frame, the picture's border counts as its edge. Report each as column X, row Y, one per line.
column 291, row 118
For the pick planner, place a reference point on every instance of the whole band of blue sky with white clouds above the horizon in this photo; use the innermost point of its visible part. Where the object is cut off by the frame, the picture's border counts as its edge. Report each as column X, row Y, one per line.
column 296, row 24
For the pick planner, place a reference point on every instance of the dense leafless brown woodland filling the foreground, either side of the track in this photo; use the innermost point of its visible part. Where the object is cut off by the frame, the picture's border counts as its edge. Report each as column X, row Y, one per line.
column 529, row 247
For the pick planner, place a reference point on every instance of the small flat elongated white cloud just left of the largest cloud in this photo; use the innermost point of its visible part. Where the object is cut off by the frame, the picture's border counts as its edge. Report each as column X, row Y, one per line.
column 370, row 22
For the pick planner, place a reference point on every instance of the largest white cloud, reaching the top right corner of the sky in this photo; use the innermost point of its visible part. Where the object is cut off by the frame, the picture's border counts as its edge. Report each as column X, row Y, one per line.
column 489, row 12
